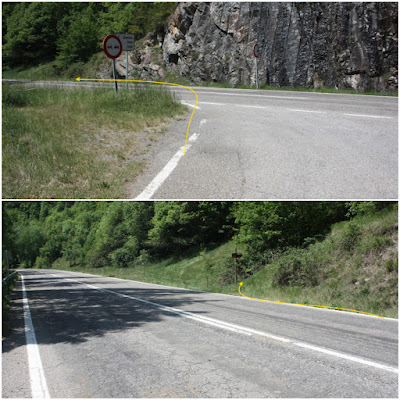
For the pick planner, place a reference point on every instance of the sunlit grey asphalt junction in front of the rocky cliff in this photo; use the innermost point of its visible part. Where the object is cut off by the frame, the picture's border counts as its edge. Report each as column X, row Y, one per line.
column 279, row 145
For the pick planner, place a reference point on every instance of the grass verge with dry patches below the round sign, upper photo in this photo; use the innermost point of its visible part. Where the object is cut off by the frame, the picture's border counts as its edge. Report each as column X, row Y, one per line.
column 79, row 143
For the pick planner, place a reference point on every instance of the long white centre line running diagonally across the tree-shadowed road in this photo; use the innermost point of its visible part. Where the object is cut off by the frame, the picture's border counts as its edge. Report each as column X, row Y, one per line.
column 246, row 331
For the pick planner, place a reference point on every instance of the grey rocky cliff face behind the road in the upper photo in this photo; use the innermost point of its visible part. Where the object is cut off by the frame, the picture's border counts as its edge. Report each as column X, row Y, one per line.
column 343, row 45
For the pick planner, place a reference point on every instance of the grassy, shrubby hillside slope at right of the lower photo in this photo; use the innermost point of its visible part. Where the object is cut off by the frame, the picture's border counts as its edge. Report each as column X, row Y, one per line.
column 355, row 267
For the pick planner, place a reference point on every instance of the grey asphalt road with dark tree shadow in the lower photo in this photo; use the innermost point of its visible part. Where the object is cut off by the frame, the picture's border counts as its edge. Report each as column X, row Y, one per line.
column 104, row 337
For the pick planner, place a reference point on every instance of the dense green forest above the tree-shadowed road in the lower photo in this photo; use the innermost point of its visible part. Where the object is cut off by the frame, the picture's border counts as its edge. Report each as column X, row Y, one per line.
column 126, row 234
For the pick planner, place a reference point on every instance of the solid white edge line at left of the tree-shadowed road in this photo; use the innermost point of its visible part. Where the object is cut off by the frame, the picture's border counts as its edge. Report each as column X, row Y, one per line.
column 36, row 372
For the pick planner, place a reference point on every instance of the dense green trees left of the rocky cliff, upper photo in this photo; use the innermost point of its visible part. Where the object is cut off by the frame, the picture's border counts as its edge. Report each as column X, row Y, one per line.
column 72, row 31
